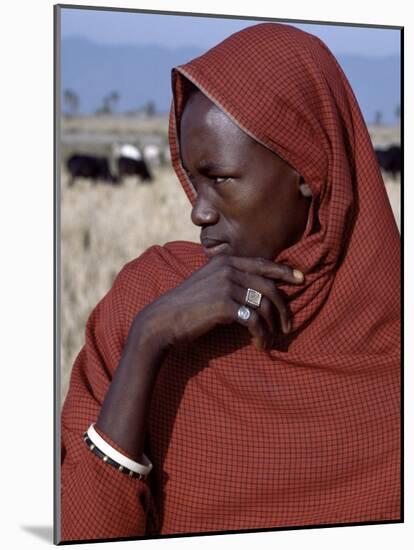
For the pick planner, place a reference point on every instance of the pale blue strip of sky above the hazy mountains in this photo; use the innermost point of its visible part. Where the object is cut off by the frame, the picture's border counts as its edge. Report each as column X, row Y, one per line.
column 121, row 27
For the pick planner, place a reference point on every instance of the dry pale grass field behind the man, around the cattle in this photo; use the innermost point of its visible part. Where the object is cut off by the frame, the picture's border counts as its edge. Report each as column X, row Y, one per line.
column 104, row 226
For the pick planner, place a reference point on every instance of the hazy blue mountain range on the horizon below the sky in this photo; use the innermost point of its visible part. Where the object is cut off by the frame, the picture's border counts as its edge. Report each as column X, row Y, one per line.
column 142, row 73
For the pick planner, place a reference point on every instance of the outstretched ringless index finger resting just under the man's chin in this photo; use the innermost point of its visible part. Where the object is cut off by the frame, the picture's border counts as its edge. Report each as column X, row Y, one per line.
column 267, row 268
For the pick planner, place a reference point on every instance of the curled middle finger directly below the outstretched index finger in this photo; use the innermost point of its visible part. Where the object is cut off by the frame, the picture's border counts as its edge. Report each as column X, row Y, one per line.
column 268, row 289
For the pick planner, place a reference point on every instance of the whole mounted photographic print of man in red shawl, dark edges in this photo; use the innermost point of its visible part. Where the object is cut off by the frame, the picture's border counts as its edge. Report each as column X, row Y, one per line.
column 229, row 265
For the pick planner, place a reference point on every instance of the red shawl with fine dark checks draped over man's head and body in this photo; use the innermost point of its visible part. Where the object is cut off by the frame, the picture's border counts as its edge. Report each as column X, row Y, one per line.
column 308, row 433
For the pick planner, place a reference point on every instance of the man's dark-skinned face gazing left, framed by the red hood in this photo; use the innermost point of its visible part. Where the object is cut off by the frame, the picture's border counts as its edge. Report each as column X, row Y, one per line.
column 247, row 196
